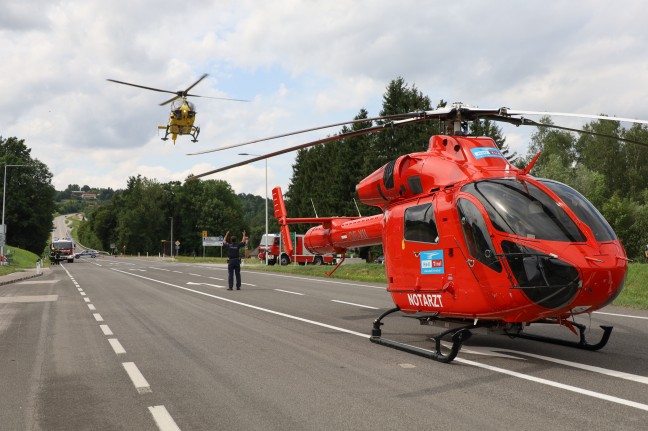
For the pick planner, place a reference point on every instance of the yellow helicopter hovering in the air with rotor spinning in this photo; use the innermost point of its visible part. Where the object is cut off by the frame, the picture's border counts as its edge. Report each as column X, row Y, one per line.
column 183, row 112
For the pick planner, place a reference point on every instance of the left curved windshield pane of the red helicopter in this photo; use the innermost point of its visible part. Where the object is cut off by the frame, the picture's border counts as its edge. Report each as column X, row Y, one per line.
column 520, row 208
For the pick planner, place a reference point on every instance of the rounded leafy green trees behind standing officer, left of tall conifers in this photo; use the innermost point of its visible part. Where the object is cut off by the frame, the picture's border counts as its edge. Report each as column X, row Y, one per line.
column 142, row 218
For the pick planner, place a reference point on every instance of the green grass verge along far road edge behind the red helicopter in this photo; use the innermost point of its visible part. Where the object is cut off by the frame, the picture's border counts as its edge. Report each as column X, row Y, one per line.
column 634, row 294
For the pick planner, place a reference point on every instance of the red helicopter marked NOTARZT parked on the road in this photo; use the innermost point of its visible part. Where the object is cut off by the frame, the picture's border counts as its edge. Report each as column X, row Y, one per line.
column 472, row 242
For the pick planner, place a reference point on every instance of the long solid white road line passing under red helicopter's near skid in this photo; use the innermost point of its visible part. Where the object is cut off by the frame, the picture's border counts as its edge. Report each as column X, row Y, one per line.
column 460, row 360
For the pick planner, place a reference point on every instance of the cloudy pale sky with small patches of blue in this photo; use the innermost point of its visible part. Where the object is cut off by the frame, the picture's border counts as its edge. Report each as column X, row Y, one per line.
column 300, row 64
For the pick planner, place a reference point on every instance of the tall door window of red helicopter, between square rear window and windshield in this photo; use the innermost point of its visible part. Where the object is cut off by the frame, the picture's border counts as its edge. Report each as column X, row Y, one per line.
column 476, row 234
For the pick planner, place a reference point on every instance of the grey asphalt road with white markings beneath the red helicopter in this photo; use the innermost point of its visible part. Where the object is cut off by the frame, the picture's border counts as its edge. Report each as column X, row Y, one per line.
column 136, row 344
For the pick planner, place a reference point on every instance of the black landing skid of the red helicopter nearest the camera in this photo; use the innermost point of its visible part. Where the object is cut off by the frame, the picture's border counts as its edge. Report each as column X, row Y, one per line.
column 458, row 337
